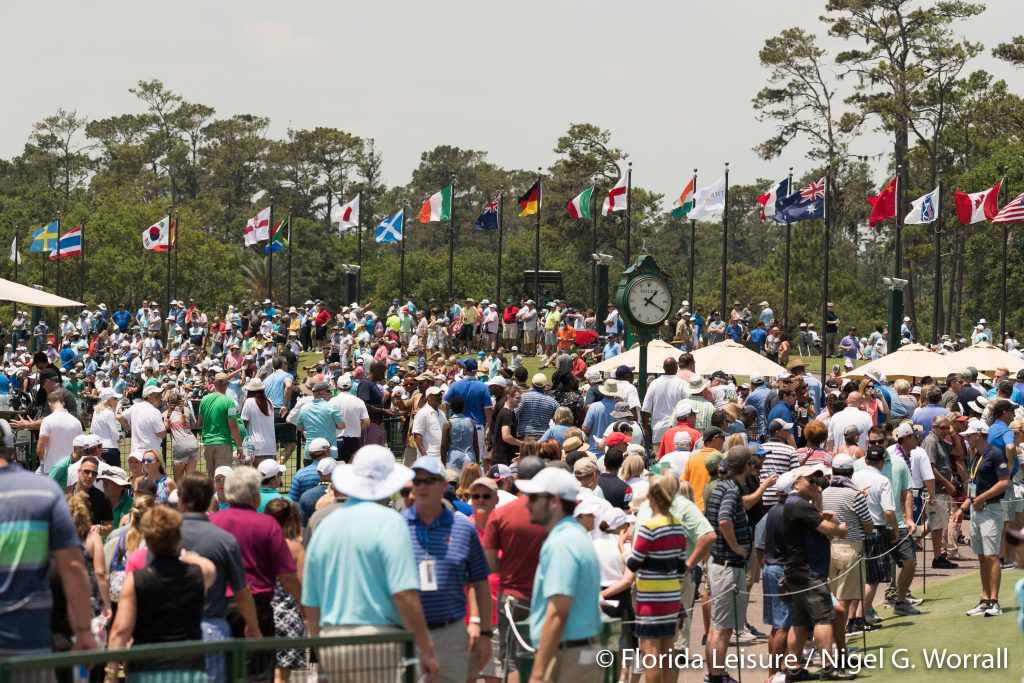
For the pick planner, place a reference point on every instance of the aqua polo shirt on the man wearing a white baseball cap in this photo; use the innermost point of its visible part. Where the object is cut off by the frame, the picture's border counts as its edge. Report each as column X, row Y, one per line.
column 569, row 567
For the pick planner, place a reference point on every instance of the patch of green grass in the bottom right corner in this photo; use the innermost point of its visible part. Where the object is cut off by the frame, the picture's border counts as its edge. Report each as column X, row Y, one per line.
column 945, row 626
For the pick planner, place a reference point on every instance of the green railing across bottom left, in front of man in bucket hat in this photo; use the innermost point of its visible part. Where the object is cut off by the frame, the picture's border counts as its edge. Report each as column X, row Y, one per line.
column 388, row 659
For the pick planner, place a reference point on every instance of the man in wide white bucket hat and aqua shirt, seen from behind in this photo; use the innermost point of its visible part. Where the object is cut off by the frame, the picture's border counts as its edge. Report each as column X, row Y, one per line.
column 361, row 575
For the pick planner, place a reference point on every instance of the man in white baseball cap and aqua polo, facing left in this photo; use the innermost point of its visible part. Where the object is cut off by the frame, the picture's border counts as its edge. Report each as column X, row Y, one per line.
column 565, row 614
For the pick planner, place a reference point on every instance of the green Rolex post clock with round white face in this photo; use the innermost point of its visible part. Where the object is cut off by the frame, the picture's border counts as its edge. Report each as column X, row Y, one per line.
column 645, row 302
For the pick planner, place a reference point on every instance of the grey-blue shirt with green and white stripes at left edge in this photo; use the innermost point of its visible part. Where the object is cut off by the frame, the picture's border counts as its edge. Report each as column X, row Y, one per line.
column 34, row 524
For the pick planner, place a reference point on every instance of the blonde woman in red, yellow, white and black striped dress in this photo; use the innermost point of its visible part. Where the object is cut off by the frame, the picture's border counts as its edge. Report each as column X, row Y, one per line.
column 658, row 561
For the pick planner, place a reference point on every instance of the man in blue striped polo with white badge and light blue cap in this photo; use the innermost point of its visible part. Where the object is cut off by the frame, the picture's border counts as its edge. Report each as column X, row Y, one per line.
column 450, row 559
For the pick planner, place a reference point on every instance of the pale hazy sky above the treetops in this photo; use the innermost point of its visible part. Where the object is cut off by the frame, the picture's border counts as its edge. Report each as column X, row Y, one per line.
column 672, row 80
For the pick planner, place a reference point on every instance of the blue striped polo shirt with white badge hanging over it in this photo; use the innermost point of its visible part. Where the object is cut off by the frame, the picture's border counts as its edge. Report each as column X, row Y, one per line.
column 452, row 542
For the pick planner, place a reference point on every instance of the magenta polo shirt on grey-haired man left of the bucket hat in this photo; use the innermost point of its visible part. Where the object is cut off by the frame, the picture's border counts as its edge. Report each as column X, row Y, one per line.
column 265, row 551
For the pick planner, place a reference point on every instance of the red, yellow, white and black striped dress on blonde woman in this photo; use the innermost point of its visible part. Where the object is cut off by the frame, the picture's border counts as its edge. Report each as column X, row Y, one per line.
column 659, row 560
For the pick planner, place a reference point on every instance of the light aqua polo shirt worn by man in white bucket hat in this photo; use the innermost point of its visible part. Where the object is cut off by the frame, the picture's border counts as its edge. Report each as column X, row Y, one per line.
column 351, row 575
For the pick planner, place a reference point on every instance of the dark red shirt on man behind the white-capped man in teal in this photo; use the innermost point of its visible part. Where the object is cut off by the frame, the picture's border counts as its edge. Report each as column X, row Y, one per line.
column 519, row 542
